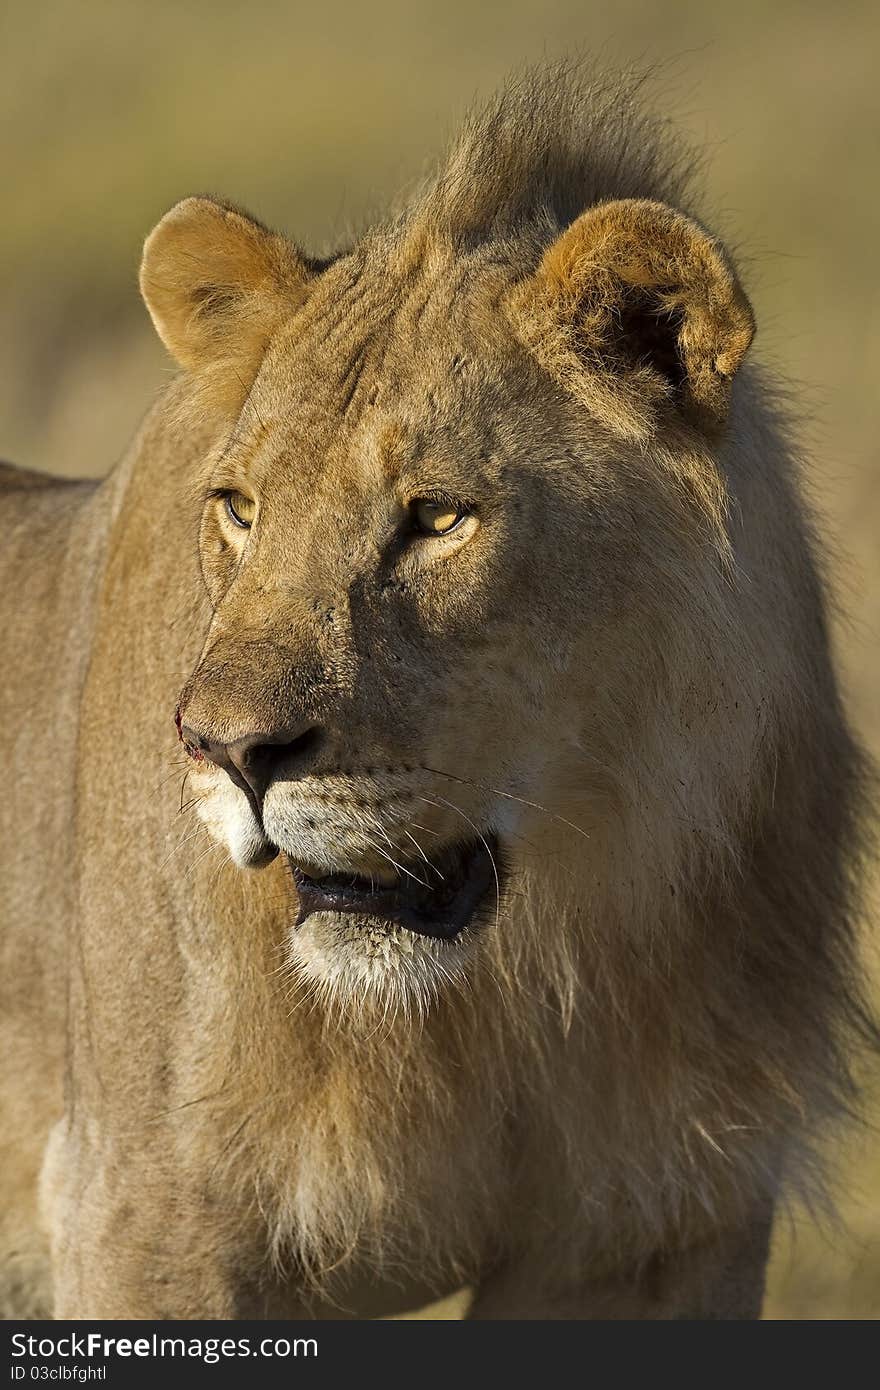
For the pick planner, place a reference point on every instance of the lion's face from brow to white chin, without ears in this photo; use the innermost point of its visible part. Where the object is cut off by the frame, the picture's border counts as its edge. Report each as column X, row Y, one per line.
column 394, row 621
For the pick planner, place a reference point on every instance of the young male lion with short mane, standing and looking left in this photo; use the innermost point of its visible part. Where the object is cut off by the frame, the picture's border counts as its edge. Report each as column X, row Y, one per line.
column 432, row 829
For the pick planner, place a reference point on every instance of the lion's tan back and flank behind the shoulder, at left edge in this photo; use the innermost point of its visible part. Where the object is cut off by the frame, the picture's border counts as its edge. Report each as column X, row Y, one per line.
column 45, row 571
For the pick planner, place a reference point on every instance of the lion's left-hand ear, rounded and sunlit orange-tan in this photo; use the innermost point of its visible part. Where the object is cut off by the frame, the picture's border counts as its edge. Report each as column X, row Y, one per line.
column 218, row 284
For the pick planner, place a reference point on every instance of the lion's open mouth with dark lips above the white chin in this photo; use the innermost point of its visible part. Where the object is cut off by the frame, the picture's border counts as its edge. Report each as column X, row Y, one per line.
column 433, row 900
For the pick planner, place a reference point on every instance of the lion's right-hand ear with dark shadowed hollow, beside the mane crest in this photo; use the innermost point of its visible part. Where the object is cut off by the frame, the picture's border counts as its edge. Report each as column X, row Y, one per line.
column 636, row 306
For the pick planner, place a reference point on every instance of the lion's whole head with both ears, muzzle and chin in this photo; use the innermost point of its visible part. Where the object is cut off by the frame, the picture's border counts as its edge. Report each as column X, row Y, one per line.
column 466, row 541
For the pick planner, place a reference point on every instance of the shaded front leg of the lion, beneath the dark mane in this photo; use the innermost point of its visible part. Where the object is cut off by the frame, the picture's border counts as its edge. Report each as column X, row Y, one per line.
column 724, row 1279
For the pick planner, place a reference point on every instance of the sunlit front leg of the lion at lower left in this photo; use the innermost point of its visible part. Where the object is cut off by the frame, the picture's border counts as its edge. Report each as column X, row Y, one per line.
column 133, row 1239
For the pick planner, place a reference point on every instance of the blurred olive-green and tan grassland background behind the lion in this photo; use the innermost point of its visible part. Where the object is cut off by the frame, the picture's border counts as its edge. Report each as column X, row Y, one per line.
column 312, row 116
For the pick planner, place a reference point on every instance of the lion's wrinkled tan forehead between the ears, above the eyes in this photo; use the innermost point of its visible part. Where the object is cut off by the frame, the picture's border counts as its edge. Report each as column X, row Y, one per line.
column 389, row 357
